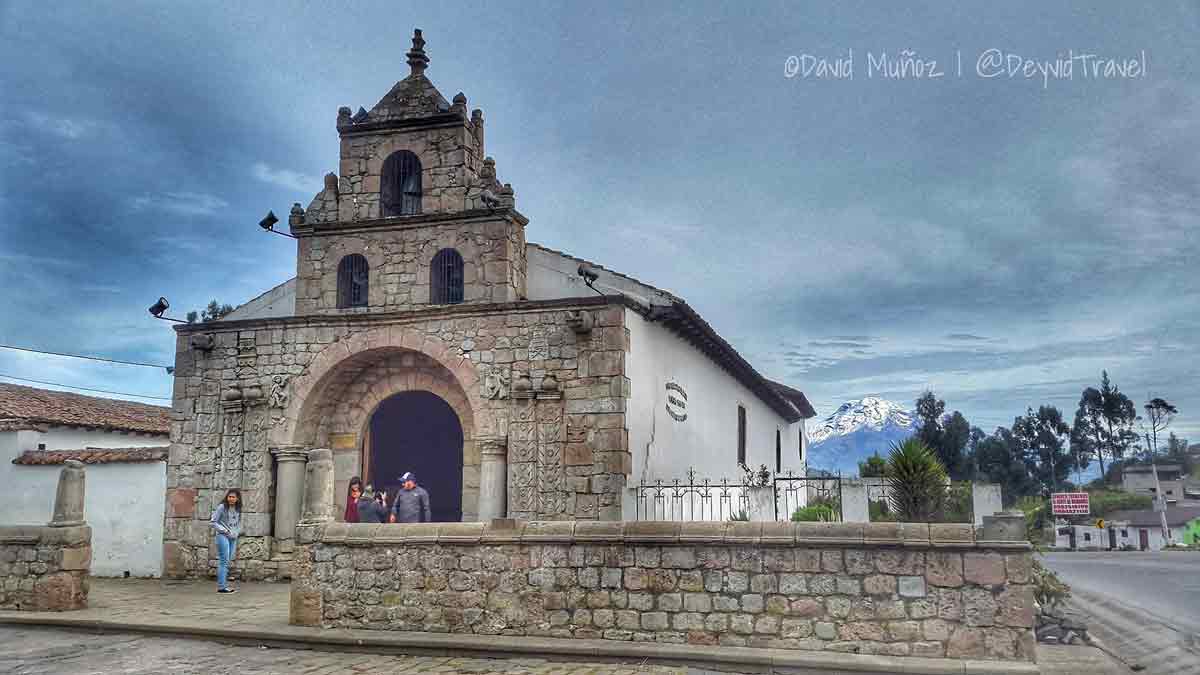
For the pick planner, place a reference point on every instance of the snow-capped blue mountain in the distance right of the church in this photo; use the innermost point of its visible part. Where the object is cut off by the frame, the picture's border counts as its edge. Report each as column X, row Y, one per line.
column 857, row 431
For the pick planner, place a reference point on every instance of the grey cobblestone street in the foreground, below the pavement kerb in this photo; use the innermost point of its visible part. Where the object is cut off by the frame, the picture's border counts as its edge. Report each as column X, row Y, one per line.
column 37, row 652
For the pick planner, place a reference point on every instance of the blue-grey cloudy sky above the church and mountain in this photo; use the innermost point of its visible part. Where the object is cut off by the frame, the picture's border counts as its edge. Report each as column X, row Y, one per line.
column 998, row 240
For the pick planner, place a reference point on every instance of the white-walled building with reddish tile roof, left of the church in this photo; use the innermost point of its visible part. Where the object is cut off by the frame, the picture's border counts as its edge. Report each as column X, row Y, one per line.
column 125, row 447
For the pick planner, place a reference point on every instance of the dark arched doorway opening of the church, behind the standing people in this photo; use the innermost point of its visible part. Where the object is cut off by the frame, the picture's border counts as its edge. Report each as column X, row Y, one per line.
column 421, row 433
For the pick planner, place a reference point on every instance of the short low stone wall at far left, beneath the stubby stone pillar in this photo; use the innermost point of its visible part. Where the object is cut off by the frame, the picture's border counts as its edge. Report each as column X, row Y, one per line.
column 45, row 569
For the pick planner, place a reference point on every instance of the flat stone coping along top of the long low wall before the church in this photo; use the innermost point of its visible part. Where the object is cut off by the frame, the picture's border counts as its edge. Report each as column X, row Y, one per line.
column 859, row 535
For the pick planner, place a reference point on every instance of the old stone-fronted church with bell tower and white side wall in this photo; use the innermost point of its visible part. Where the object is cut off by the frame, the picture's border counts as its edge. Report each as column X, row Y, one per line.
column 424, row 333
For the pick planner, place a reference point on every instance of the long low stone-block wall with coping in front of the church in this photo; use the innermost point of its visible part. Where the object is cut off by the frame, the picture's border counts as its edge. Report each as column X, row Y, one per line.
column 886, row 589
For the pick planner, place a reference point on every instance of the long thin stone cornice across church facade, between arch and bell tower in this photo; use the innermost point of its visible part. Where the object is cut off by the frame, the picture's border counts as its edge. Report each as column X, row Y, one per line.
column 406, row 316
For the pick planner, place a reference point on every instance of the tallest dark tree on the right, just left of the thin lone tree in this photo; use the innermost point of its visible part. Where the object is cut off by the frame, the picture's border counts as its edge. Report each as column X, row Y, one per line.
column 1103, row 425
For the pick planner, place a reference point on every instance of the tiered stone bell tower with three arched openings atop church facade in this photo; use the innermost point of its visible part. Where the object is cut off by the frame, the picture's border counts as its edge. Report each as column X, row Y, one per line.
column 417, row 218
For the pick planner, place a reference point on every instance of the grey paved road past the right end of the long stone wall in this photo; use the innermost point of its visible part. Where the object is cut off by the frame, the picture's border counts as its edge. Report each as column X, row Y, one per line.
column 1144, row 606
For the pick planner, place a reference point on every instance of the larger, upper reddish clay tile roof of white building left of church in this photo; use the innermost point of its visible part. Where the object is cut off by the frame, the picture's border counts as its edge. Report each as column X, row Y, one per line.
column 31, row 407
